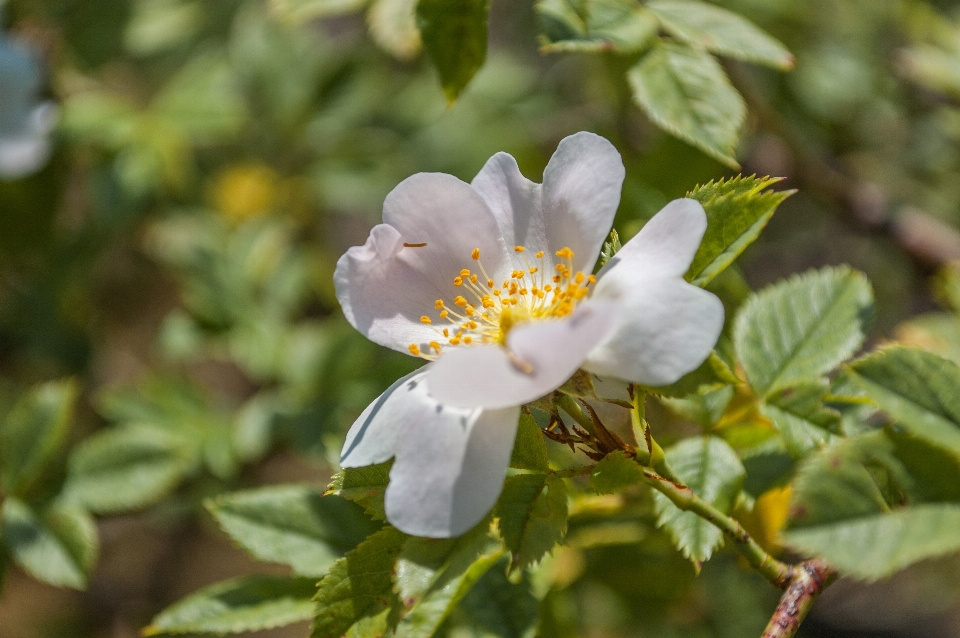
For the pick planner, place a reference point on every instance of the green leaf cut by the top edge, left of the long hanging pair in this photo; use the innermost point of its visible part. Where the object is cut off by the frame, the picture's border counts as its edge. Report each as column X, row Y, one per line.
column 592, row 26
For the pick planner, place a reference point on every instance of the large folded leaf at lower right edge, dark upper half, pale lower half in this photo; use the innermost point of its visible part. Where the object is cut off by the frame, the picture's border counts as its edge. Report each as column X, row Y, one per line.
column 842, row 500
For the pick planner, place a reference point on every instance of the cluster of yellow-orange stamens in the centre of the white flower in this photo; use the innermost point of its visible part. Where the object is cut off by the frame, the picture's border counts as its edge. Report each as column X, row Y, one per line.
column 485, row 311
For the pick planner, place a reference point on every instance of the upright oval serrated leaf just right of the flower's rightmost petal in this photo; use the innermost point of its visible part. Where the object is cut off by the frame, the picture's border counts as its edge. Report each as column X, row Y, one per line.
column 800, row 329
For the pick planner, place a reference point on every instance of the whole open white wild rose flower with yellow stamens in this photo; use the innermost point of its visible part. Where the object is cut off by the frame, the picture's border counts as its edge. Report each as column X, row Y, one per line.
column 491, row 282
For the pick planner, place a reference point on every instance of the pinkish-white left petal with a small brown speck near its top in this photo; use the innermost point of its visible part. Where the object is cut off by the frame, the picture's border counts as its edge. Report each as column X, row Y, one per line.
column 384, row 287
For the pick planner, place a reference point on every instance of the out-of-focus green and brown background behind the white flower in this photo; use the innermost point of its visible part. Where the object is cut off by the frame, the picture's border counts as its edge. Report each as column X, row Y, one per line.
column 168, row 237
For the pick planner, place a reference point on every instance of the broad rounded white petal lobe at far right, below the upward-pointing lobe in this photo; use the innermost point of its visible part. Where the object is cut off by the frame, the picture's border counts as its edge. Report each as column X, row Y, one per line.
column 669, row 329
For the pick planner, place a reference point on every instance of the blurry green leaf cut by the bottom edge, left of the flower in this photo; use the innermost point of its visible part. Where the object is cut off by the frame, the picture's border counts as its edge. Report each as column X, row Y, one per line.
column 251, row 603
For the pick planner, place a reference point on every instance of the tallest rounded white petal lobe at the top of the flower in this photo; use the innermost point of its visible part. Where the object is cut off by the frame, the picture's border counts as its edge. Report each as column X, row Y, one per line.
column 581, row 192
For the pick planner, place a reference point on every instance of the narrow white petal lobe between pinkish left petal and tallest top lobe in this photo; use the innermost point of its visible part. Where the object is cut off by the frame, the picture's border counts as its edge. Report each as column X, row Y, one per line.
column 516, row 202
